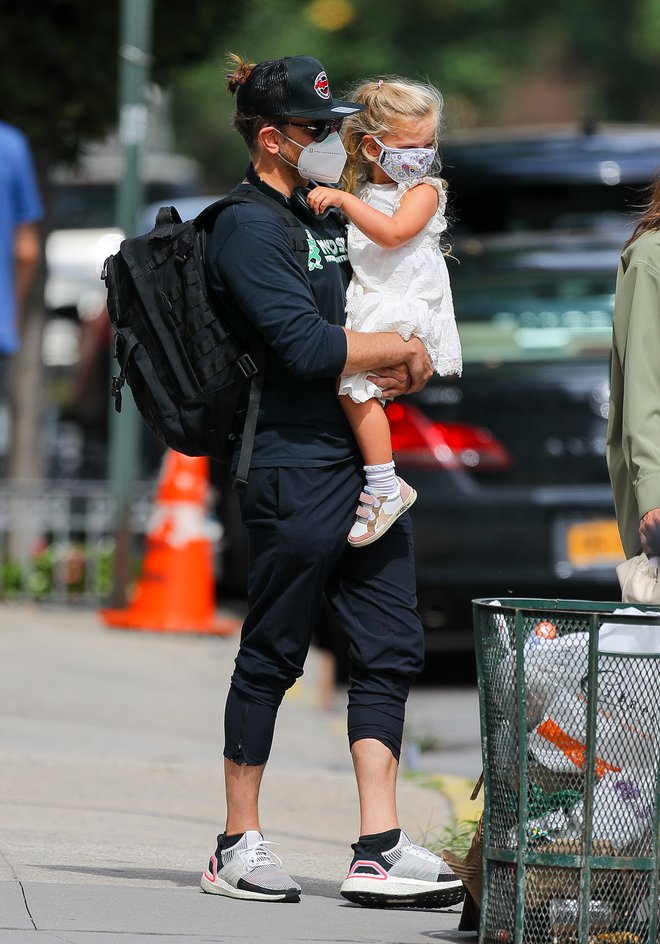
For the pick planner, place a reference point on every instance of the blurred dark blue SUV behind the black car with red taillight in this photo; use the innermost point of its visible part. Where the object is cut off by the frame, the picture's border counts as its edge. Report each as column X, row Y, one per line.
column 577, row 179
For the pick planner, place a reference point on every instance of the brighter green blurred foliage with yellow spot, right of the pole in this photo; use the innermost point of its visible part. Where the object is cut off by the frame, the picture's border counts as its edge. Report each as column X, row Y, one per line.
column 473, row 50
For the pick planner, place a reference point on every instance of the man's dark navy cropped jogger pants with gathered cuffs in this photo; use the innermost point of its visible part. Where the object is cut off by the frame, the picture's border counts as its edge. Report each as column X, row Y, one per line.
column 298, row 521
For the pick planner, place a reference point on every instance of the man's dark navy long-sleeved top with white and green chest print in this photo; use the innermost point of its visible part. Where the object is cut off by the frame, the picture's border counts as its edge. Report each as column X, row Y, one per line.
column 259, row 283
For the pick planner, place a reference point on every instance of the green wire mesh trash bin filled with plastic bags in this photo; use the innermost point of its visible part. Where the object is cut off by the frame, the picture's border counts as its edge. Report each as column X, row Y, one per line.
column 569, row 698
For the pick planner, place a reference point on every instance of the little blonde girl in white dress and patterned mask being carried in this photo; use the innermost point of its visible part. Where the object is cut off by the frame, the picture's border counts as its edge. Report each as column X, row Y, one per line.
column 400, row 280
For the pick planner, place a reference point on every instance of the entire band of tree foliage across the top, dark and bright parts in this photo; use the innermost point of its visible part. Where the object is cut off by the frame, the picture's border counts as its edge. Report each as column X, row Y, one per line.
column 59, row 75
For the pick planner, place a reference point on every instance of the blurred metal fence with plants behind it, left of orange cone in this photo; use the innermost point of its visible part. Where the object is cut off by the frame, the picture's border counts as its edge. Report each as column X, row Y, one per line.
column 57, row 539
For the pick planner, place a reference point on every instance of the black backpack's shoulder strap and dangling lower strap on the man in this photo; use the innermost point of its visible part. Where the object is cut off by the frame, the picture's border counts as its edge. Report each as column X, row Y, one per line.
column 298, row 242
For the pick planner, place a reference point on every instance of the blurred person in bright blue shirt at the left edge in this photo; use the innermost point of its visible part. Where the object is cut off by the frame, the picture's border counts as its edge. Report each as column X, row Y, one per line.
column 20, row 243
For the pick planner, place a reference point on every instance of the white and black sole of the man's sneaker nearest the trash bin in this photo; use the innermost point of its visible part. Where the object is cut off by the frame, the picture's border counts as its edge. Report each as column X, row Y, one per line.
column 402, row 893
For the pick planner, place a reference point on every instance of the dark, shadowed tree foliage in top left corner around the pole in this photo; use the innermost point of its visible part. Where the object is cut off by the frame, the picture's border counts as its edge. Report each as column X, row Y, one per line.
column 58, row 81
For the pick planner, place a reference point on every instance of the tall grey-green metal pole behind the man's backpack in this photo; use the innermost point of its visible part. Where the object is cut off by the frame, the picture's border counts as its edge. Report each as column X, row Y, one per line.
column 134, row 68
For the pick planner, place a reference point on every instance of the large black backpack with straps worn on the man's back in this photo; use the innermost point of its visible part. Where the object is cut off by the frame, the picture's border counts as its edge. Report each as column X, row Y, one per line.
column 195, row 386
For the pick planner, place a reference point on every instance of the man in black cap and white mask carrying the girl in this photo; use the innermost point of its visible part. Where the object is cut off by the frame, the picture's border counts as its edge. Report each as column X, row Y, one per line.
column 299, row 503
